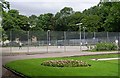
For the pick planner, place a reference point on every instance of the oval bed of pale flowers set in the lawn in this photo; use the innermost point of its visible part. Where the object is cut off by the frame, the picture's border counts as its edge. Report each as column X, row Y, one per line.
column 65, row 63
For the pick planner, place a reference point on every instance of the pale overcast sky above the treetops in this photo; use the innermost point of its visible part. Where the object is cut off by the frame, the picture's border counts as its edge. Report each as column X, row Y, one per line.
column 37, row 7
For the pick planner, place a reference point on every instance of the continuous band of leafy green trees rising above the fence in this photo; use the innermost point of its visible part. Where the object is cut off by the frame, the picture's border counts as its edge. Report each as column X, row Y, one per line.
column 99, row 18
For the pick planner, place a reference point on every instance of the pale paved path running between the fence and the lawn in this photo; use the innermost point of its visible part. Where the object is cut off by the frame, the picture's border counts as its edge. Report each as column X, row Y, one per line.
column 46, row 55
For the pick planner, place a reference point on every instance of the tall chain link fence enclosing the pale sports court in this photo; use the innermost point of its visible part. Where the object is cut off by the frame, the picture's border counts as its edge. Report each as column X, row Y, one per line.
column 55, row 41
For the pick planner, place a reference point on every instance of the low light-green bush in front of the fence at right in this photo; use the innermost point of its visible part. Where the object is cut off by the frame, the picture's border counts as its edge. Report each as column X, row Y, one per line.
column 105, row 47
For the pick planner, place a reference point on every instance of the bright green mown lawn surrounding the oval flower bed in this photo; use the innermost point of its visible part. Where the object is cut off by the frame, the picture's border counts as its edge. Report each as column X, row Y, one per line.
column 33, row 68
